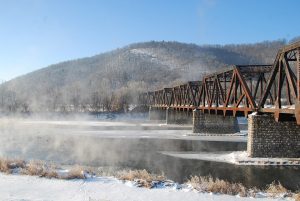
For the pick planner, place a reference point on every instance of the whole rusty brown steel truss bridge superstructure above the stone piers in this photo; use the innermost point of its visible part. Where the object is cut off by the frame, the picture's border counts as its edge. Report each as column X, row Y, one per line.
column 239, row 90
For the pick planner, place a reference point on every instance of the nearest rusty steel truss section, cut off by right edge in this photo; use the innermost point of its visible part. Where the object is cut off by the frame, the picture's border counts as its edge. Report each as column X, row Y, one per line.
column 283, row 85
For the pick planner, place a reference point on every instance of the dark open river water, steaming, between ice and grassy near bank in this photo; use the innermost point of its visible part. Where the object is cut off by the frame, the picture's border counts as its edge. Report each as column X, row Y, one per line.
column 53, row 144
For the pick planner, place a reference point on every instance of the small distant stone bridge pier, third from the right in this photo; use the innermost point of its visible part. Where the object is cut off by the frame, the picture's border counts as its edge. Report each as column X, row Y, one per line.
column 178, row 117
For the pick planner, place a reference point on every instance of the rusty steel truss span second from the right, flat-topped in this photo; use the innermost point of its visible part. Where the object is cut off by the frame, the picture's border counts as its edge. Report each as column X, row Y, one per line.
column 235, row 97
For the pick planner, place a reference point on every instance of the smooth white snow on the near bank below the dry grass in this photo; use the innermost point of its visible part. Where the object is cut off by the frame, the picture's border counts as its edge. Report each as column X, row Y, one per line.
column 30, row 188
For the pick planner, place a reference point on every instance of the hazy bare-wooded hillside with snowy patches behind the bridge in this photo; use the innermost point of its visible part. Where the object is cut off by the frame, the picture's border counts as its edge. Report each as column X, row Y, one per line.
column 111, row 81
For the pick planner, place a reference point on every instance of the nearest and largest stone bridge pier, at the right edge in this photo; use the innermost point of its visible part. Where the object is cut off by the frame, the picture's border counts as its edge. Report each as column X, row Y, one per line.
column 268, row 138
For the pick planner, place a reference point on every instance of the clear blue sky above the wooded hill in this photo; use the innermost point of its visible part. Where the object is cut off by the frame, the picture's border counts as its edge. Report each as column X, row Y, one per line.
column 37, row 33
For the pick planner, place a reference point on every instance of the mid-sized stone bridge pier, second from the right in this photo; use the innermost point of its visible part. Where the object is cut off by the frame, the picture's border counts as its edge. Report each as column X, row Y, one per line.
column 214, row 124
